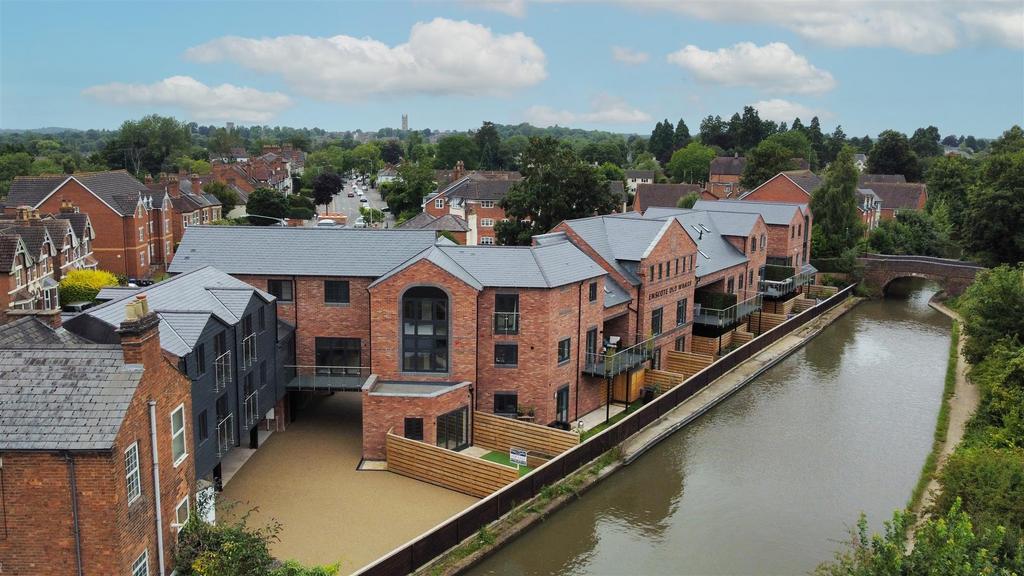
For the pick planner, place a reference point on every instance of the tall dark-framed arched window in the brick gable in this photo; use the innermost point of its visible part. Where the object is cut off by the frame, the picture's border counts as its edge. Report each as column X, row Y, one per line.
column 424, row 331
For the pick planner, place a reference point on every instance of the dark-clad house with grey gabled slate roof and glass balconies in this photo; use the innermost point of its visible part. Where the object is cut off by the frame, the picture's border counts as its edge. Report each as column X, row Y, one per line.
column 224, row 337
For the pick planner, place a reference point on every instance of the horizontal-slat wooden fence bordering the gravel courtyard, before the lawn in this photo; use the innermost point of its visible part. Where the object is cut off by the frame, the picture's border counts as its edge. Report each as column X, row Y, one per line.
column 453, row 471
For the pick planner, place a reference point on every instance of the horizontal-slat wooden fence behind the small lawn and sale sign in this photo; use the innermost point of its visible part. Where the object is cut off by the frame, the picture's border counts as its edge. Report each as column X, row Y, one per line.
column 498, row 433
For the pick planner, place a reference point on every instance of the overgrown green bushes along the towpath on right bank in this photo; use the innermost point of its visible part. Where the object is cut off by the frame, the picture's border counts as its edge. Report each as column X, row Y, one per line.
column 977, row 524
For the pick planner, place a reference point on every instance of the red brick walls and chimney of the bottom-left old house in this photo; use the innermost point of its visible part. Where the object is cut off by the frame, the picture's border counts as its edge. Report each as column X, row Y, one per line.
column 37, row 503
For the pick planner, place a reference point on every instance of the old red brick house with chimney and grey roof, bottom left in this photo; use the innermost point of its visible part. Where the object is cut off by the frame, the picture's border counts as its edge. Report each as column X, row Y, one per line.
column 79, row 492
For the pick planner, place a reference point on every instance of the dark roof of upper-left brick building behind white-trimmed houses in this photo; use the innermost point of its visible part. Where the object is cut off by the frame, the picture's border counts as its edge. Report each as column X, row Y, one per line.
column 117, row 188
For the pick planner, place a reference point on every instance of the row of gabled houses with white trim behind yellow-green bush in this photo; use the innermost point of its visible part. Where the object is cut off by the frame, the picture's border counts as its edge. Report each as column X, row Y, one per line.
column 35, row 254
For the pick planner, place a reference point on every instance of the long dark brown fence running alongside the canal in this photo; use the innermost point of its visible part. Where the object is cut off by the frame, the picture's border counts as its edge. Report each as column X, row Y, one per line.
column 419, row 552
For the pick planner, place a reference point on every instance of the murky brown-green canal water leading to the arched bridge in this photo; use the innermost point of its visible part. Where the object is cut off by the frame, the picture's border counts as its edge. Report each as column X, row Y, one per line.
column 771, row 481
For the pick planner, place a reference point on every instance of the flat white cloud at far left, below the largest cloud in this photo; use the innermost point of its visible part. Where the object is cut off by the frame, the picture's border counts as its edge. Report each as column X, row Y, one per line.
column 226, row 102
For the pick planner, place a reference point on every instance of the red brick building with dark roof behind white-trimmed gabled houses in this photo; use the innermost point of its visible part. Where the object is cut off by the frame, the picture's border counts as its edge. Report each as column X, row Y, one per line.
column 133, row 224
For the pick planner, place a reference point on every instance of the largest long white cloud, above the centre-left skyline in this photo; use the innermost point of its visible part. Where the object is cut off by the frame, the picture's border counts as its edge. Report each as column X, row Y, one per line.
column 442, row 57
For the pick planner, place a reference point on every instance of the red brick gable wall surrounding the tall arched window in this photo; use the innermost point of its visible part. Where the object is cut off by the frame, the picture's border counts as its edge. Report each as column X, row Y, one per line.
column 386, row 303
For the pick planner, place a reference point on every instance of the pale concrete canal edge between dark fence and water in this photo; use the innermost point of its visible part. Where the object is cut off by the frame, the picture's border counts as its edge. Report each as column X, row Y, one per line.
column 520, row 520
